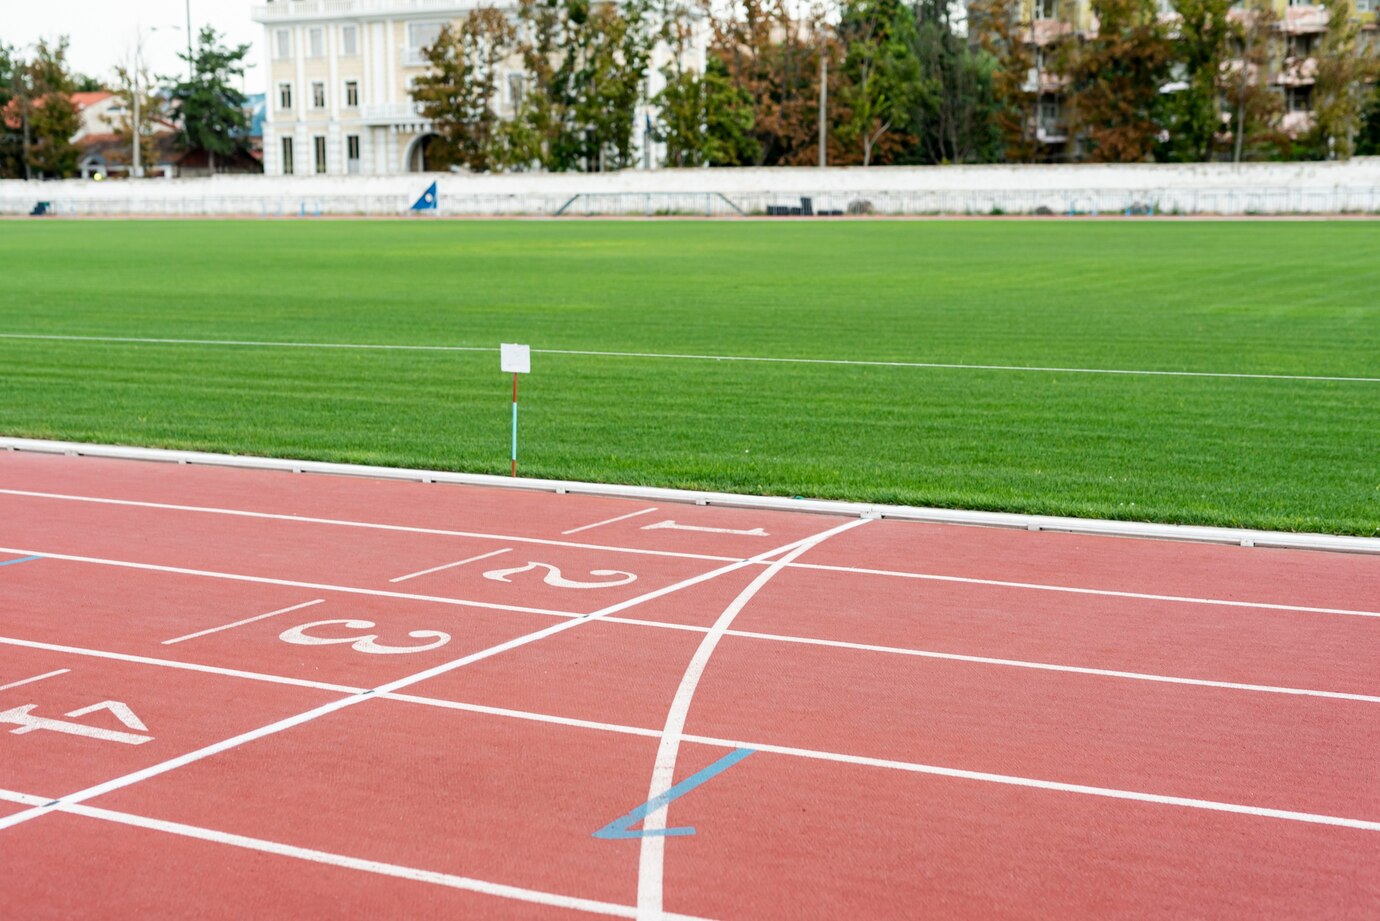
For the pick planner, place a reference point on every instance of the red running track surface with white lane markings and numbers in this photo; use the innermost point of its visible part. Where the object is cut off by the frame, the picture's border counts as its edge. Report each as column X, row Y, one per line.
column 246, row 694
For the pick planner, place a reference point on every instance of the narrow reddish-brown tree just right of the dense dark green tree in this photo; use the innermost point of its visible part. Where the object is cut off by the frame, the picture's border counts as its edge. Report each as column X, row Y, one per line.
column 1000, row 35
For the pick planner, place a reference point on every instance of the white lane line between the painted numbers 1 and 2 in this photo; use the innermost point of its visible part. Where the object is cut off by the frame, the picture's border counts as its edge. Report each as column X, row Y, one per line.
column 702, row 557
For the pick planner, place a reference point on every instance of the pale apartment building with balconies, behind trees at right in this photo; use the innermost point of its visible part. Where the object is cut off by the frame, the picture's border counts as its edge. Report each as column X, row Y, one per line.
column 1292, row 75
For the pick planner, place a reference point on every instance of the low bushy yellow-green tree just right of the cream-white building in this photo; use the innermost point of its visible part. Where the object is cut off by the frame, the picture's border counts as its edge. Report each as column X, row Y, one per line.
column 706, row 121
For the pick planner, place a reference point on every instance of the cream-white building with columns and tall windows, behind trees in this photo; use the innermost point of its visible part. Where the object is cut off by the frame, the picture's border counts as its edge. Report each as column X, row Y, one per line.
column 340, row 85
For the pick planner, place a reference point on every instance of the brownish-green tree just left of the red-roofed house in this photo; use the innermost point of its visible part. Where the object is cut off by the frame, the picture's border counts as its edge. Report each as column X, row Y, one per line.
column 48, row 115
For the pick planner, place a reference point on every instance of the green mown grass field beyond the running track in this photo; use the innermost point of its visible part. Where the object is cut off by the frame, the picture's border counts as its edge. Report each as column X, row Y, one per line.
column 1237, row 298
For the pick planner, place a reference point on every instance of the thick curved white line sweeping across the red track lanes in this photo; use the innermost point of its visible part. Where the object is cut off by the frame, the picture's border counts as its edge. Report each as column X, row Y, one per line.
column 652, row 855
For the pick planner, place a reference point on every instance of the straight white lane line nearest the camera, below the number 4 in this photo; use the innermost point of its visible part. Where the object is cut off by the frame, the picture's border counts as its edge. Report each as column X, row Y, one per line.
column 313, row 855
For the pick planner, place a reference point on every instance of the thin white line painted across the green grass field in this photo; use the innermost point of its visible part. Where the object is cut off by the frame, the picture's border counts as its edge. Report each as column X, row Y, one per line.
column 685, row 357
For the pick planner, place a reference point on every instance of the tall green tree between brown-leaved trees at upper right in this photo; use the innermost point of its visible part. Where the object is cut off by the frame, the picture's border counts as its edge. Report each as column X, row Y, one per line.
column 1203, row 48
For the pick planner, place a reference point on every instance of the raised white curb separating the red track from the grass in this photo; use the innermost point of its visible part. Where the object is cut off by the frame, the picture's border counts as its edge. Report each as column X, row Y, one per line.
column 1194, row 534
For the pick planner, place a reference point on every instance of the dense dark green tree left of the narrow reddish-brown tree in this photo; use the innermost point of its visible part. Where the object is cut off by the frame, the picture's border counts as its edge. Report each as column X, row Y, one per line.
column 953, row 119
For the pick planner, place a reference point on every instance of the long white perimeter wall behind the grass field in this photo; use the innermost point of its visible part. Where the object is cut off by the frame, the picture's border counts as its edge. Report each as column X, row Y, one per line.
column 1105, row 188
